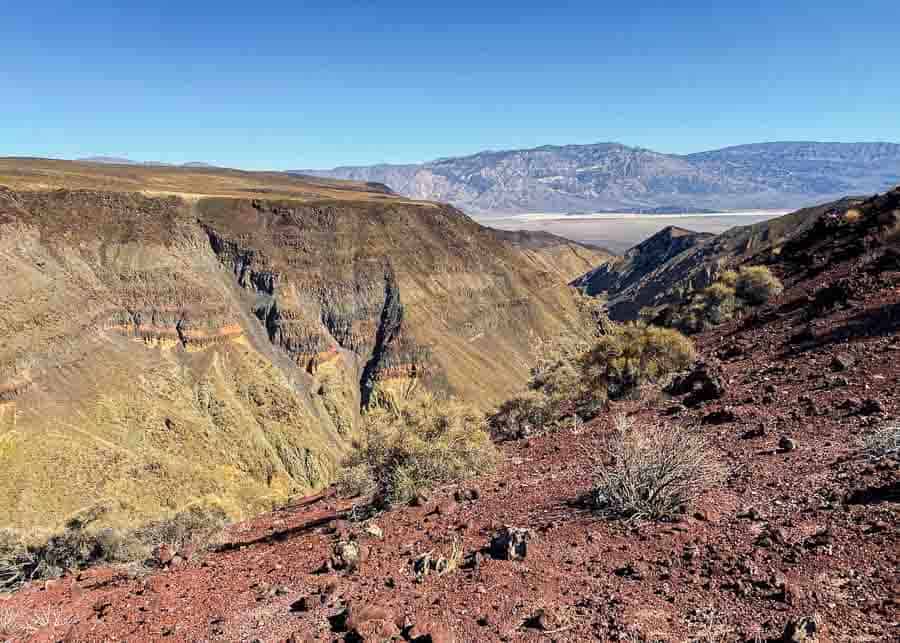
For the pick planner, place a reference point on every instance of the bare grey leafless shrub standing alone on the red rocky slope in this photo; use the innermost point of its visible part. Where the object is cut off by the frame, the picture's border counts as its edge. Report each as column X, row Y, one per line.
column 654, row 470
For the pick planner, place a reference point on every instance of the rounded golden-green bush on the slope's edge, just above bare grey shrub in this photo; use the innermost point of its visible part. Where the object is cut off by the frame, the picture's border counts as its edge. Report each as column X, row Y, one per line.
column 636, row 354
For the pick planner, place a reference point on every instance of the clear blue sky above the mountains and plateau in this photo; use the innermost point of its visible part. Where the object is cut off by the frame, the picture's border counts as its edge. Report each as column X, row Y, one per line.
column 315, row 84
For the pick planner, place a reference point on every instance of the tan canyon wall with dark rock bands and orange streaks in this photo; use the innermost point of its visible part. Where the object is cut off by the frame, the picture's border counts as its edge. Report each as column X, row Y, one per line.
column 163, row 350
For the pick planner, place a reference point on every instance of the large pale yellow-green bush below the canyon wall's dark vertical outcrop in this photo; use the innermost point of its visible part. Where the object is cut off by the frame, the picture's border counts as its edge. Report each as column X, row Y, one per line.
column 412, row 444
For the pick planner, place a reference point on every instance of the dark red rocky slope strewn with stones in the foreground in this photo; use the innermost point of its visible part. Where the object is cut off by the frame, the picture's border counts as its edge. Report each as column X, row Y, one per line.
column 800, row 542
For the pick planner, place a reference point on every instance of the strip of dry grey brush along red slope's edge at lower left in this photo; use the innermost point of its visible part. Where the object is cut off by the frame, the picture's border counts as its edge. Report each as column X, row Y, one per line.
column 26, row 556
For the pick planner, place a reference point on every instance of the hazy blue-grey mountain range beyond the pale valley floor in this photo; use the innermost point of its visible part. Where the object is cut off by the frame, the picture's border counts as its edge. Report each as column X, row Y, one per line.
column 614, row 177
